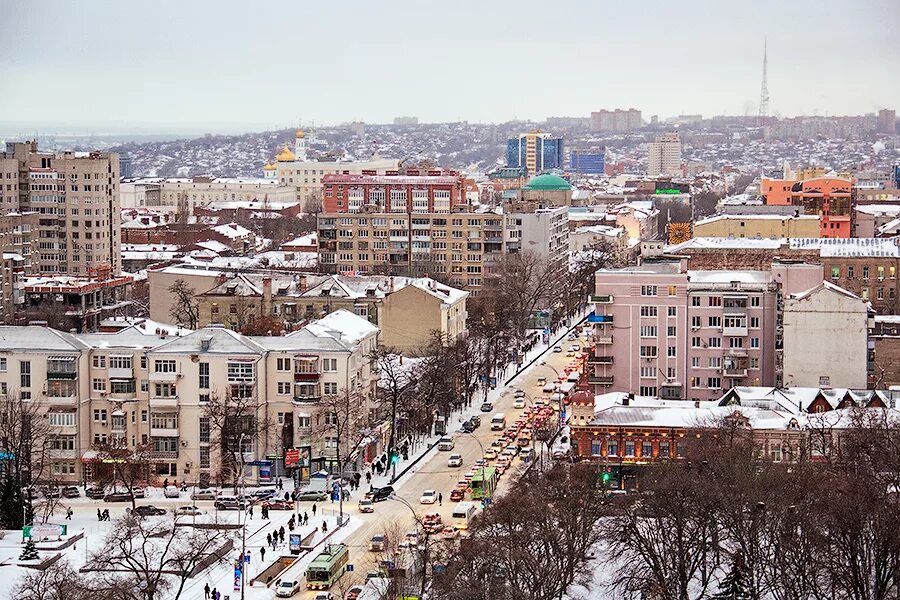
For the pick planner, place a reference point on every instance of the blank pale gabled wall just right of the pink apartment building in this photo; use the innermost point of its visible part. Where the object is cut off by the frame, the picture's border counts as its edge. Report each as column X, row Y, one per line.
column 816, row 320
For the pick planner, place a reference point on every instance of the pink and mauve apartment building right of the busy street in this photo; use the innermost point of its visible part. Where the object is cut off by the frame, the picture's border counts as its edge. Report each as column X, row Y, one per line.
column 663, row 330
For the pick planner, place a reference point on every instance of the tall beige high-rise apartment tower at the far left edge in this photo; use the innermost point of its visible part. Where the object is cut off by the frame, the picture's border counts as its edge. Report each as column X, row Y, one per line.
column 77, row 197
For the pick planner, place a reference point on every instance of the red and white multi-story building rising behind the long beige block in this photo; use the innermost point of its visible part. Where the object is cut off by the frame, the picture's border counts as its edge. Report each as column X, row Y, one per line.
column 415, row 192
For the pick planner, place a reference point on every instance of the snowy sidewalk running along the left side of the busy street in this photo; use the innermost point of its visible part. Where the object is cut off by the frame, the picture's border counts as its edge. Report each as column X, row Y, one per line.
column 429, row 444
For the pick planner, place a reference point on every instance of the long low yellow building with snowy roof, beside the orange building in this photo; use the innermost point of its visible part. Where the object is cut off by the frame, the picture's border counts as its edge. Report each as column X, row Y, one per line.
column 758, row 226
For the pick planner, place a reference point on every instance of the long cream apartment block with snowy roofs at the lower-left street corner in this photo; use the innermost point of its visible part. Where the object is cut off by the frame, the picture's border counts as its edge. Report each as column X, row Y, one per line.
column 133, row 388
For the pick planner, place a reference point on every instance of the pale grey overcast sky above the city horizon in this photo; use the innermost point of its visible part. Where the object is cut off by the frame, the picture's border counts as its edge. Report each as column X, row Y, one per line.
column 272, row 64
